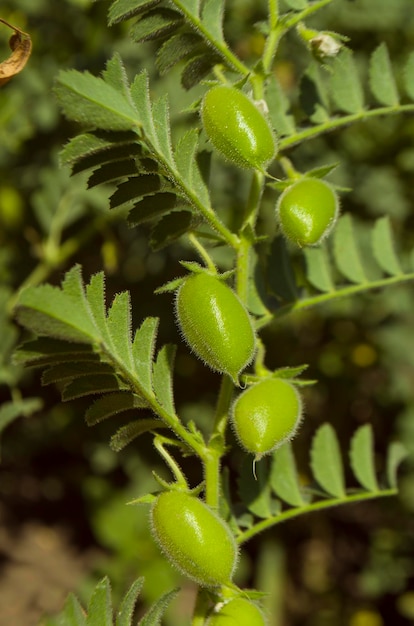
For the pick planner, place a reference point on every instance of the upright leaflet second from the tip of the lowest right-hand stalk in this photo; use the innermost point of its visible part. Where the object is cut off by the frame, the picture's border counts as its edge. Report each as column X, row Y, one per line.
column 362, row 458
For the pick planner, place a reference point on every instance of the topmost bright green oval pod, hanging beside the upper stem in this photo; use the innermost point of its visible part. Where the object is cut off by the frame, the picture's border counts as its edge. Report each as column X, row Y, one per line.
column 236, row 127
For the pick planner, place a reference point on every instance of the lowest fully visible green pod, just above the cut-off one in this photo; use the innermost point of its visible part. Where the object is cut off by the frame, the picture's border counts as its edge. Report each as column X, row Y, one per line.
column 194, row 538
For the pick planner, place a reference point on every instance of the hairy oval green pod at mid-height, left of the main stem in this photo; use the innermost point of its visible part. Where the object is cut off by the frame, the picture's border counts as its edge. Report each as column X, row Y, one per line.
column 215, row 324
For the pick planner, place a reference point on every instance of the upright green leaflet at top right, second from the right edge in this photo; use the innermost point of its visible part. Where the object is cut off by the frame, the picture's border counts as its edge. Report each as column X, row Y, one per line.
column 381, row 77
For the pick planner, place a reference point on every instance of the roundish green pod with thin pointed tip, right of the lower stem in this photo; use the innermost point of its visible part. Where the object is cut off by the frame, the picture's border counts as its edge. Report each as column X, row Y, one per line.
column 266, row 415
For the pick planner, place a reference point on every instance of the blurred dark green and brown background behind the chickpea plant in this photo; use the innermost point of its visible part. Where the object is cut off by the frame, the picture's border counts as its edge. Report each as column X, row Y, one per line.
column 62, row 491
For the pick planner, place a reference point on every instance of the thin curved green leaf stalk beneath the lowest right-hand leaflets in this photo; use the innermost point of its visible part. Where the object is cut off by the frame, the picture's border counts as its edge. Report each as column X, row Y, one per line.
column 317, row 506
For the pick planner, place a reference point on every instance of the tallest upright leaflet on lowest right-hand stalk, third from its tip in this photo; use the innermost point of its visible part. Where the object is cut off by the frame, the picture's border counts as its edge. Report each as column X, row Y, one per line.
column 326, row 462
